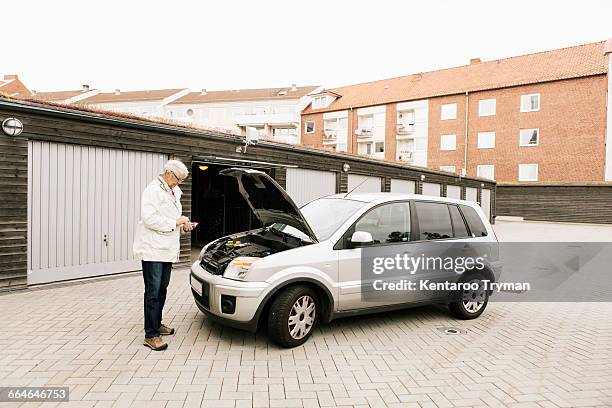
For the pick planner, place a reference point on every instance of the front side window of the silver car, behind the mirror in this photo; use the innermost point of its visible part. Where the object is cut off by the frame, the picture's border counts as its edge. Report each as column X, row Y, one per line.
column 387, row 223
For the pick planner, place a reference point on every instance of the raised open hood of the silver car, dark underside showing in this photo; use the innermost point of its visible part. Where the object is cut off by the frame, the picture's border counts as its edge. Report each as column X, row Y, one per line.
column 269, row 202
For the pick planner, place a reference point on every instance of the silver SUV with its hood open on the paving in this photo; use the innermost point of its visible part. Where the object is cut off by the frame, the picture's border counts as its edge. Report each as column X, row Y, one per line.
column 306, row 266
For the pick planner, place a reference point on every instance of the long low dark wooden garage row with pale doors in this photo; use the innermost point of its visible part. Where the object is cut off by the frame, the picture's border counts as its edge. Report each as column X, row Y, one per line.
column 72, row 179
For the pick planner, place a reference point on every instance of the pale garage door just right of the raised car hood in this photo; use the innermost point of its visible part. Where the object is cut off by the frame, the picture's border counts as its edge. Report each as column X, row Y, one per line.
column 306, row 185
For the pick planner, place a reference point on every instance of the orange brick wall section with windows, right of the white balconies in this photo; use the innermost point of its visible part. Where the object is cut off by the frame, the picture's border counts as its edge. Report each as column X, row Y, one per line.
column 571, row 120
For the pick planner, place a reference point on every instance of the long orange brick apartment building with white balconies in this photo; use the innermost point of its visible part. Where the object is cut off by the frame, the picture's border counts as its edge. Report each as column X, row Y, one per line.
column 537, row 118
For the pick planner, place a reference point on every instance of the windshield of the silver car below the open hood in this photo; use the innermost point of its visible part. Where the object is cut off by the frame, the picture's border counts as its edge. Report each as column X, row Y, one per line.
column 326, row 215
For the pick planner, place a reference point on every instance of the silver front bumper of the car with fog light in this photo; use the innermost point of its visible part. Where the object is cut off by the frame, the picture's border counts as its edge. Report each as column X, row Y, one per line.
column 207, row 290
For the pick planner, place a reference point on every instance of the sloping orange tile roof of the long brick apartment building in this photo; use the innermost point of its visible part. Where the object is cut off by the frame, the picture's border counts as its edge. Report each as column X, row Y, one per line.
column 564, row 63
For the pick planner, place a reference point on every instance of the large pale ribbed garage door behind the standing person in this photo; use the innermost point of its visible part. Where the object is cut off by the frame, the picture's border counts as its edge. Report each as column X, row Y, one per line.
column 83, row 206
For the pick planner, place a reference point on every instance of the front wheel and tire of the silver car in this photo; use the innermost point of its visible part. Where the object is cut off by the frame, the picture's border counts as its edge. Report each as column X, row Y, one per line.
column 293, row 316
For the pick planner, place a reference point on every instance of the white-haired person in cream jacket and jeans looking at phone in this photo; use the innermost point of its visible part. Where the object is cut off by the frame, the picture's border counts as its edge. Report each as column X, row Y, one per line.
column 157, row 245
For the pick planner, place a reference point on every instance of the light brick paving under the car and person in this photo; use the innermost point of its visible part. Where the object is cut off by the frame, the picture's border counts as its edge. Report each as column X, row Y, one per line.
column 88, row 336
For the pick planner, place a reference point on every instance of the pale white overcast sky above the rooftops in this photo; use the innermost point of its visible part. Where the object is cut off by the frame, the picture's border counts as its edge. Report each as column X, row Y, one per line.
column 225, row 44
